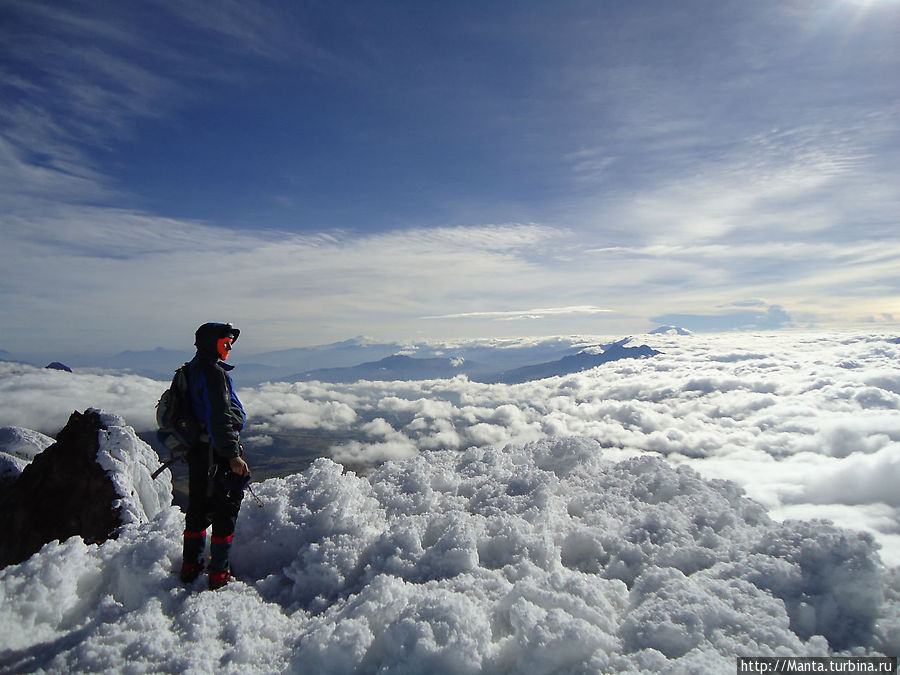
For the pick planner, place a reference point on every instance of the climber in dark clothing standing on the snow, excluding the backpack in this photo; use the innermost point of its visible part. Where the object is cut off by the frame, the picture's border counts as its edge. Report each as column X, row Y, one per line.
column 217, row 472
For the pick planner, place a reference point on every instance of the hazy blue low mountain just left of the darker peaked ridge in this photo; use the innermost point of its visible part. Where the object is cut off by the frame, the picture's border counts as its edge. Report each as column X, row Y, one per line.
column 395, row 367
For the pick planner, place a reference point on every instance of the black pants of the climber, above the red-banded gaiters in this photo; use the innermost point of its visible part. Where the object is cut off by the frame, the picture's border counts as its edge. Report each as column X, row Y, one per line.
column 208, row 500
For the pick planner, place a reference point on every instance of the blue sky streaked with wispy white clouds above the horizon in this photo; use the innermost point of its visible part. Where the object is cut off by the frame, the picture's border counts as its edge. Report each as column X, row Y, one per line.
column 405, row 170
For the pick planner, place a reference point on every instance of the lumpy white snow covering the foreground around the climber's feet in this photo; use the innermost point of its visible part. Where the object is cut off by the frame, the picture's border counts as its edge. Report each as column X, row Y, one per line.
column 531, row 558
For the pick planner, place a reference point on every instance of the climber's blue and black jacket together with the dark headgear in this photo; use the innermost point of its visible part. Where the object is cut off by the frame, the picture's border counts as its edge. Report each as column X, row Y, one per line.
column 213, row 398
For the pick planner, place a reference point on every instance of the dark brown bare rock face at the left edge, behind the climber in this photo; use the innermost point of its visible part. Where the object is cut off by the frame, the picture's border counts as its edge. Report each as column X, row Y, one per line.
column 63, row 492
